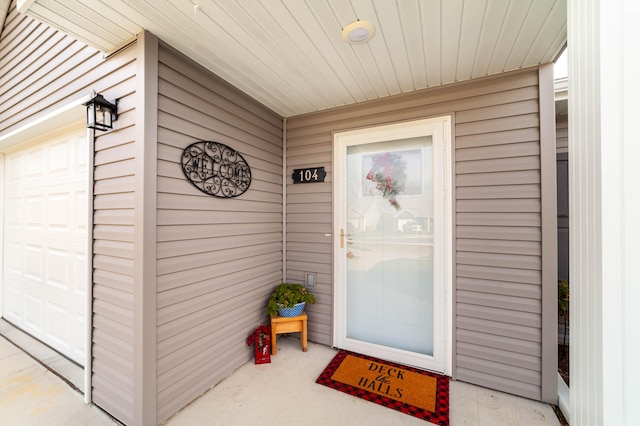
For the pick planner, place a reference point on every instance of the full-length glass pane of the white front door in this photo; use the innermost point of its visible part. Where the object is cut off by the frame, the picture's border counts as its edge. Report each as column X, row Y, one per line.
column 390, row 244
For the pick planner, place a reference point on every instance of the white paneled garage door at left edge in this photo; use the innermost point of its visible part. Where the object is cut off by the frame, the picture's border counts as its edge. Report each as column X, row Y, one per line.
column 45, row 241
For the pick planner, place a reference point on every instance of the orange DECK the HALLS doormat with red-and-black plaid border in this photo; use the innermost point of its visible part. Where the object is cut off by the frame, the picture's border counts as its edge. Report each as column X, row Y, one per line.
column 411, row 391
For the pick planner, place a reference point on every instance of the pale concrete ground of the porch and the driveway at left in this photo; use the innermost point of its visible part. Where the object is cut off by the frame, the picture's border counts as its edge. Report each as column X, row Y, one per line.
column 281, row 393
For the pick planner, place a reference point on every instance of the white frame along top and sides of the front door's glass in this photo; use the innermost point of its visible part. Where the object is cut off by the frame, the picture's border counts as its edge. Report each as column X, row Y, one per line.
column 440, row 128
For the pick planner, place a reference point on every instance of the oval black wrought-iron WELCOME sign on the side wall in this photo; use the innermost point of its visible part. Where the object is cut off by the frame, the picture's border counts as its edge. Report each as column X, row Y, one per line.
column 216, row 169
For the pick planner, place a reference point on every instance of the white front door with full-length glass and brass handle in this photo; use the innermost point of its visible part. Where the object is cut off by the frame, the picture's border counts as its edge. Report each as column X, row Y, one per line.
column 393, row 233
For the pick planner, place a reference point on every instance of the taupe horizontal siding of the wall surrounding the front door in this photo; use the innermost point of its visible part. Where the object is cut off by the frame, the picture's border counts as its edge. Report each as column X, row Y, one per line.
column 497, row 258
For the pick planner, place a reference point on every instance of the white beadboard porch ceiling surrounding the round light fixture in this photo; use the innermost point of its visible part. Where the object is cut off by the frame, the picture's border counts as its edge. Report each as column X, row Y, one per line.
column 289, row 54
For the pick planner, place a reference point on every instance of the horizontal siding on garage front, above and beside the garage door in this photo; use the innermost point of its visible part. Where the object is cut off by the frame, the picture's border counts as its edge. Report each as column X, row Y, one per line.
column 41, row 70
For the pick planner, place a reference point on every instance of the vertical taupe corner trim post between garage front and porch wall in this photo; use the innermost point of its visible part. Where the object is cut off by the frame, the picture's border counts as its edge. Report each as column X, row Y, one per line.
column 146, row 154
